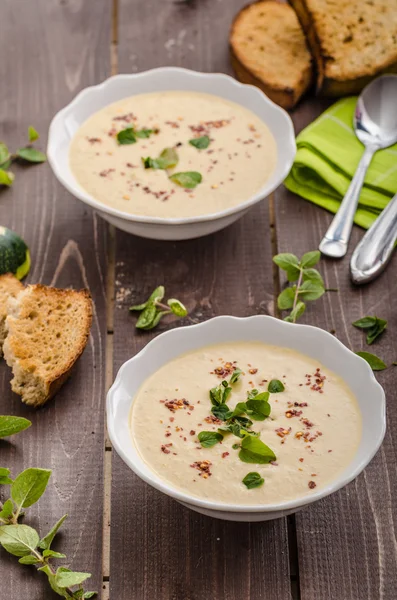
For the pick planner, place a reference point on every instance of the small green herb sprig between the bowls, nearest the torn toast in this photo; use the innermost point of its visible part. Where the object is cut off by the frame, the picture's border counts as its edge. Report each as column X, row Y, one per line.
column 153, row 309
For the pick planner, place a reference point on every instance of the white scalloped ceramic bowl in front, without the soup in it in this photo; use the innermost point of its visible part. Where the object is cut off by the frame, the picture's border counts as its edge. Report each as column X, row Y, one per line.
column 311, row 341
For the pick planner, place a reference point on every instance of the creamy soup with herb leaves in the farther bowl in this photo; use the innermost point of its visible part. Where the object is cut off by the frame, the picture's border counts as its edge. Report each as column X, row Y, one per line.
column 117, row 155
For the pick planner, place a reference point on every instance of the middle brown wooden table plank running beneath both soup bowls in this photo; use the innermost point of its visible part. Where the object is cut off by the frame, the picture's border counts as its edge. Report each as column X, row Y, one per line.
column 160, row 549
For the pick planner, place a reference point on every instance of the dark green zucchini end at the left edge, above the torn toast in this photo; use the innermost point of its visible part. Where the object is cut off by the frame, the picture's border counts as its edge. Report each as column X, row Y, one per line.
column 14, row 254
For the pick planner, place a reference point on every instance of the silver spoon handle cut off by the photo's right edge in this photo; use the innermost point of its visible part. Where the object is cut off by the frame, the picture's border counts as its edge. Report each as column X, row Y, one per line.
column 375, row 249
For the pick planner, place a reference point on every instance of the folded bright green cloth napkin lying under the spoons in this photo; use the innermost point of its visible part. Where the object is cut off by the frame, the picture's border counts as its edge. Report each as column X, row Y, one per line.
column 327, row 157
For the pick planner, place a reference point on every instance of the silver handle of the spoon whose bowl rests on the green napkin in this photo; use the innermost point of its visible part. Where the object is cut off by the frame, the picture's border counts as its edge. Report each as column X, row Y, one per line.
column 335, row 241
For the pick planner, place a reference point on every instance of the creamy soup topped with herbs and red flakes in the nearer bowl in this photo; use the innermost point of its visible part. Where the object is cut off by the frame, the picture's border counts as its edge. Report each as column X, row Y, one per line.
column 309, row 437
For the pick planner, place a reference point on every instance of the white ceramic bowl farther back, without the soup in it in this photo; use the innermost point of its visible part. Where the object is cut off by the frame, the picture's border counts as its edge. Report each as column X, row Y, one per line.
column 68, row 120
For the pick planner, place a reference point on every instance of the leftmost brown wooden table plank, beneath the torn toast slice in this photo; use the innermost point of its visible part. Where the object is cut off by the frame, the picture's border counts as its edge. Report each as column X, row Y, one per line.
column 53, row 50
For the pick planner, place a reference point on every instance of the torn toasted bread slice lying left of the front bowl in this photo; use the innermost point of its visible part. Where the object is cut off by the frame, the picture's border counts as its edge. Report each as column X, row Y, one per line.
column 48, row 329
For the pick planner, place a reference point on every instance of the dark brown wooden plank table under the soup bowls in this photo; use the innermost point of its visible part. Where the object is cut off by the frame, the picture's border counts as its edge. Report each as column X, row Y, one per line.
column 139, row 544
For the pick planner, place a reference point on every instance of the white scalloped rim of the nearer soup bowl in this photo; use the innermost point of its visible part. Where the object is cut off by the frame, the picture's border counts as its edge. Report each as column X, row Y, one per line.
column 165, row 339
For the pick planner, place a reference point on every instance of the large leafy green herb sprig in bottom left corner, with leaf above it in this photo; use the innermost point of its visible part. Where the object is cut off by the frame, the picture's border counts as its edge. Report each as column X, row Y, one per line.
column 24, row 541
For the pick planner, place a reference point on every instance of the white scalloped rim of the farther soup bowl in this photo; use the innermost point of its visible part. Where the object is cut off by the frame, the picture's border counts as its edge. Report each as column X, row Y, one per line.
column 80, row 193
